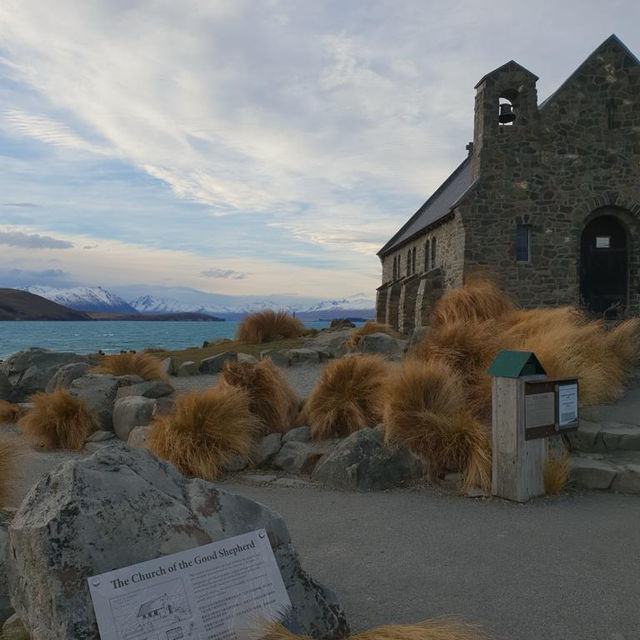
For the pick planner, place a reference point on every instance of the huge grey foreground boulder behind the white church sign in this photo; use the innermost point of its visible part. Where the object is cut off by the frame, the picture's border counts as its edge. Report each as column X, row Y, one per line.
column 123, row 506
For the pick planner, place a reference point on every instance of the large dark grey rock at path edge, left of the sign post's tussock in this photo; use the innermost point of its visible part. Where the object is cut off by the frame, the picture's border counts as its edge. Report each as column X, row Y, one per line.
column 361, row 462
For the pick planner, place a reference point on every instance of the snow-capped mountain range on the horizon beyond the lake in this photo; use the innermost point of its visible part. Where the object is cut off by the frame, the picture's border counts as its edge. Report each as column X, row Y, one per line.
column 157, row 300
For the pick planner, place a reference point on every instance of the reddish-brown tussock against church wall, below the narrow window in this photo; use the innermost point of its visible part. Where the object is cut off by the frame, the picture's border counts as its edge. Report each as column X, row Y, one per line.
column 478, row 300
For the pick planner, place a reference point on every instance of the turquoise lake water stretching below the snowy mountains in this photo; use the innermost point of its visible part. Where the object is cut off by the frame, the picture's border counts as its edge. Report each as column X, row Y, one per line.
column 111, row 336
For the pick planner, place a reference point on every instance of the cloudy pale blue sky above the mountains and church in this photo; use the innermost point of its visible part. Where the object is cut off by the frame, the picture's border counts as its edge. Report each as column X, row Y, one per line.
column 248, row 147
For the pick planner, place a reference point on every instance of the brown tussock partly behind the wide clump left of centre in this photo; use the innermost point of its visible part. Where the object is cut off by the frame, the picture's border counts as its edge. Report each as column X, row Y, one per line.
column 271, row 398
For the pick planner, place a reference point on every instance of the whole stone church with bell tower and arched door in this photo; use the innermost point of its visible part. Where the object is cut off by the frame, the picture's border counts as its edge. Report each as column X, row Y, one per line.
column 547, row 200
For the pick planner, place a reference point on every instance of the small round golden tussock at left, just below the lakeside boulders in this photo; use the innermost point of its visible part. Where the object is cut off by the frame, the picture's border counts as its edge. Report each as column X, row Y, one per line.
column 58, row 420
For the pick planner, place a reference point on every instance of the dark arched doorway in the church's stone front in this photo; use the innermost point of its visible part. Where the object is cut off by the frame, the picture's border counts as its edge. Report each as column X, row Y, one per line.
column 604, row 265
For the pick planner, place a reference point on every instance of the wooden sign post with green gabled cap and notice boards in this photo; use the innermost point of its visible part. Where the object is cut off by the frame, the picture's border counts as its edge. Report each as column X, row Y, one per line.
column 527, row 408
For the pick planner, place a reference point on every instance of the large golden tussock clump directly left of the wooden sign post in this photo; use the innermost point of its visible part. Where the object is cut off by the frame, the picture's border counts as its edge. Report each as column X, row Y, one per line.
column 425, row 410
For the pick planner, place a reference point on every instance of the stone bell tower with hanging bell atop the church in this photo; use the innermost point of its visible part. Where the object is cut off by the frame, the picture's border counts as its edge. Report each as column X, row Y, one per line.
column 506, row 109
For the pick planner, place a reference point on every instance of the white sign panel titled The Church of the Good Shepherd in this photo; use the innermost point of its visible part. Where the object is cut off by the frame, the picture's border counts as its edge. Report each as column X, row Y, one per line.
column 215, row 592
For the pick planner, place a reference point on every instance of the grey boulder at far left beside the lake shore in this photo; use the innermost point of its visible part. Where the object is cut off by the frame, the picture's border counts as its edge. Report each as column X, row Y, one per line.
column 30, row 371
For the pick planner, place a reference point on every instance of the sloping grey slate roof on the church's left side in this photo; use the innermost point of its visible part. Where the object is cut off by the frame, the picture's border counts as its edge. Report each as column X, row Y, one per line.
column 437, row 206
